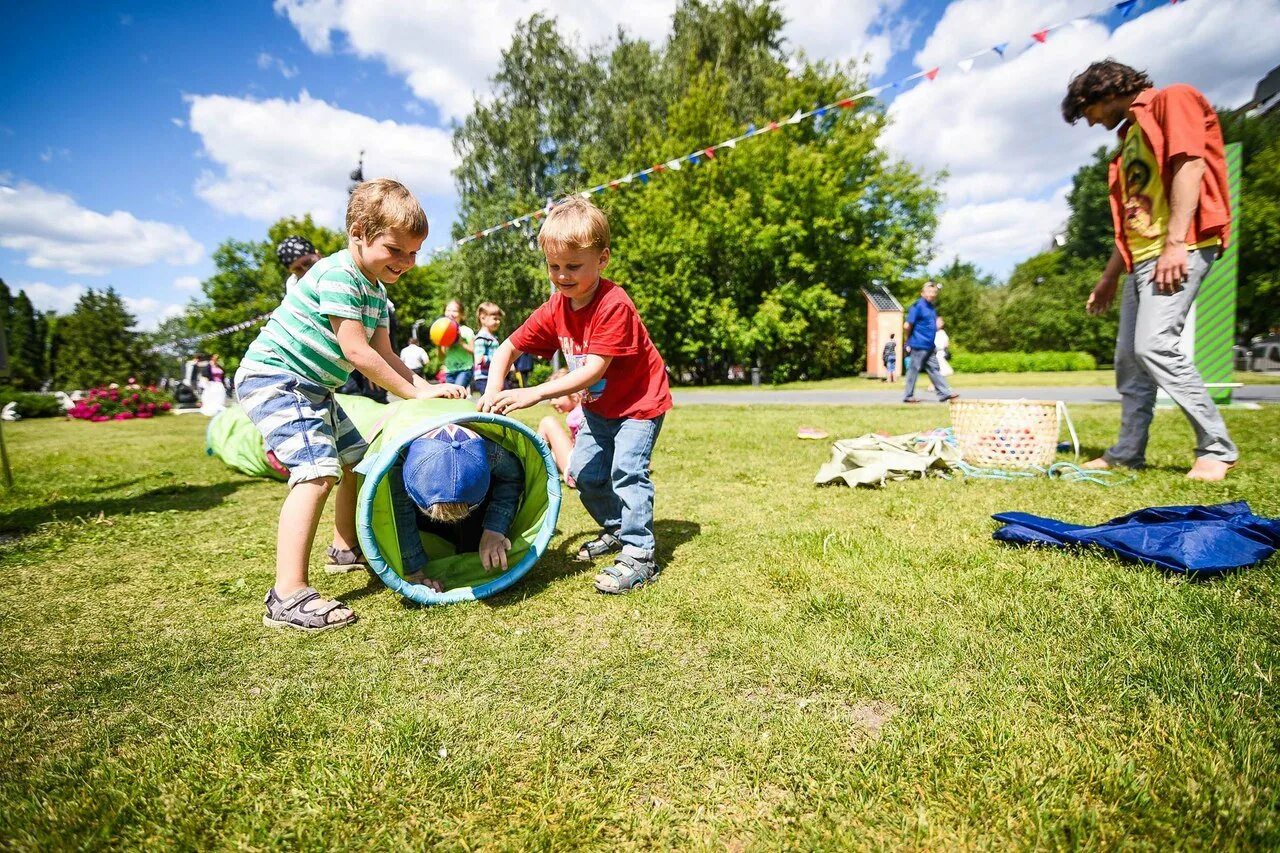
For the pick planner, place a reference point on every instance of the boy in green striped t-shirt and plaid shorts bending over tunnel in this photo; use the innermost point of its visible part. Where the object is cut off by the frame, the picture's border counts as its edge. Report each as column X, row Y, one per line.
column 336, row 320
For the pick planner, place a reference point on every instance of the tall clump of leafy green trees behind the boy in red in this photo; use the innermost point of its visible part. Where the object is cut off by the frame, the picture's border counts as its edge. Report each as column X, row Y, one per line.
column 756, row 258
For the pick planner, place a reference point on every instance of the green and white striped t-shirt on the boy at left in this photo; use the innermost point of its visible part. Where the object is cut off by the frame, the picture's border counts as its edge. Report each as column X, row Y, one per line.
column 299, row 337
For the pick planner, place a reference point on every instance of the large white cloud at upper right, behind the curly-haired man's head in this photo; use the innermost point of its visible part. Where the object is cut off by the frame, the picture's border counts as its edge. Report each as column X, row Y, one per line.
column 999, row 130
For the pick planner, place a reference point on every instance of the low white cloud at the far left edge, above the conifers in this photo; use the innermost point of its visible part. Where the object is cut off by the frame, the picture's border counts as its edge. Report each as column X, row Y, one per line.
column 54, row 232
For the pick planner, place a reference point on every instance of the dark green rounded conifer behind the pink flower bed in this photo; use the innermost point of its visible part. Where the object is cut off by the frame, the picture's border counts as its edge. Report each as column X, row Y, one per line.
column 97, row 345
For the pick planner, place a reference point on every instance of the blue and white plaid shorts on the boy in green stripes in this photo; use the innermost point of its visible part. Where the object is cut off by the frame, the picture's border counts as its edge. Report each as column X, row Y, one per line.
column 303, row 425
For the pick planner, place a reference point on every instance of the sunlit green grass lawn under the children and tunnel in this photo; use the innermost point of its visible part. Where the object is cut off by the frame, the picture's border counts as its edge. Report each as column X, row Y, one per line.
column 816, row 668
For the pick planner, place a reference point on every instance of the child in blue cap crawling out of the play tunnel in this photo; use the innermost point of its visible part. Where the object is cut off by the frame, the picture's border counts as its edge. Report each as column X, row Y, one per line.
column 461, row 487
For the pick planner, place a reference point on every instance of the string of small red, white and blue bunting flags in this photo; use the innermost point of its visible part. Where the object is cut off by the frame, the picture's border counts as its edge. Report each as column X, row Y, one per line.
column 644, row 176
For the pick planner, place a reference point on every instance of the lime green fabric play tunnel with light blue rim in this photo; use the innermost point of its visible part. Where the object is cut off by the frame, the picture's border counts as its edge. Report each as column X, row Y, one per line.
column 390, row 431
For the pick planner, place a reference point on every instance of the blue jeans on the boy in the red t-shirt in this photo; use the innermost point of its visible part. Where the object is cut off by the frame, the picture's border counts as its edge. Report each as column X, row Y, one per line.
column 611, row 467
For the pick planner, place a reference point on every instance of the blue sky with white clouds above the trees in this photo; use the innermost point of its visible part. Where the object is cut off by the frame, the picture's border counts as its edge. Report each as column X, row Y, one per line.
column 135, row 138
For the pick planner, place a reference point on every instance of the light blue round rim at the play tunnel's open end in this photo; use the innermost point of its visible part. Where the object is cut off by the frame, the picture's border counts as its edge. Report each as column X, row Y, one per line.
column 376, row 471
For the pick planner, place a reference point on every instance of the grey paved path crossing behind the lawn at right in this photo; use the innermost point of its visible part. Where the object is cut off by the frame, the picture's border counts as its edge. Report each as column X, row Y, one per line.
column 849, row 398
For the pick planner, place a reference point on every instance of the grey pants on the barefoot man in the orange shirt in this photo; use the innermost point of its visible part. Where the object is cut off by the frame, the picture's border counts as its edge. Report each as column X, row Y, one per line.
column 1150, row 357
